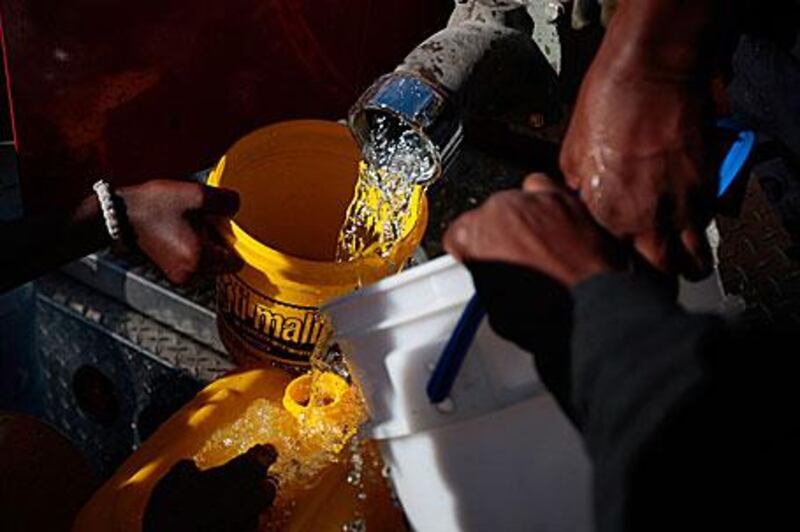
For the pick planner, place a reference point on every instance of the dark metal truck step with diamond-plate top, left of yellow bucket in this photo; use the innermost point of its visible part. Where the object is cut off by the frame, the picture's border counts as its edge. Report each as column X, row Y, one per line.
column 113, row 374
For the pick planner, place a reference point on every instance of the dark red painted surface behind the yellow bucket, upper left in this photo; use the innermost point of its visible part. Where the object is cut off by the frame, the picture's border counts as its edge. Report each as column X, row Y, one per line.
column 160, row 88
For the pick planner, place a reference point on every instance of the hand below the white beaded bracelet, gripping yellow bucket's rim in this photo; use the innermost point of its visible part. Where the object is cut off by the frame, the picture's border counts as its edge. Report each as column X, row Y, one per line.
column 170, row 224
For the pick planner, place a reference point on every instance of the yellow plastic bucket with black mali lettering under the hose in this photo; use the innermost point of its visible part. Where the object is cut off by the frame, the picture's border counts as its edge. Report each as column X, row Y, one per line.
column 296, row 180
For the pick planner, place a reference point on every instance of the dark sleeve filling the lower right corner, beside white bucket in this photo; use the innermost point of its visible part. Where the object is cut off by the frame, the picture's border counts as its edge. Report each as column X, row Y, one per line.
column 686, row 429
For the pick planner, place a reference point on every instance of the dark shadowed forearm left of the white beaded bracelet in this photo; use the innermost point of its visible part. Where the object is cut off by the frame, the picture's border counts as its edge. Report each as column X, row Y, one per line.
column 32, row 247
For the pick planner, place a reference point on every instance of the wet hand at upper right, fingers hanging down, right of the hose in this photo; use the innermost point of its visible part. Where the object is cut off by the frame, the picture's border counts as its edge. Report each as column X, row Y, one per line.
column 636, row 149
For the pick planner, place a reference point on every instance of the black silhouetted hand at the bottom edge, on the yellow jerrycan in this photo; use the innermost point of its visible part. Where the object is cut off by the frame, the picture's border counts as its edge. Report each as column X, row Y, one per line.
column 227, row 498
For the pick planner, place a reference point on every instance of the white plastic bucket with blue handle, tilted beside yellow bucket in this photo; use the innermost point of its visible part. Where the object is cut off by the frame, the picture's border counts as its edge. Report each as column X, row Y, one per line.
column 500, row 455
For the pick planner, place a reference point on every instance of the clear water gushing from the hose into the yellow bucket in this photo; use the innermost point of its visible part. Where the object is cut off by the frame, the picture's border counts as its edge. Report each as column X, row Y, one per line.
column 387, row 194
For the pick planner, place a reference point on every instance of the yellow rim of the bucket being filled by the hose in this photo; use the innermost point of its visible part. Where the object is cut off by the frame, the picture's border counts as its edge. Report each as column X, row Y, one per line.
column 360, row 270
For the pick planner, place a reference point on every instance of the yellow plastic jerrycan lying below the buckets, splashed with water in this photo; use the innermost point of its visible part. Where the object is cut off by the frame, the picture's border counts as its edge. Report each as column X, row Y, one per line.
column 329, row 503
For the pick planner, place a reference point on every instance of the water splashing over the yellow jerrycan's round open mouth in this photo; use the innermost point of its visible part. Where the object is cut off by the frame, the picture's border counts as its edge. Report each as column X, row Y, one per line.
column 315, row 431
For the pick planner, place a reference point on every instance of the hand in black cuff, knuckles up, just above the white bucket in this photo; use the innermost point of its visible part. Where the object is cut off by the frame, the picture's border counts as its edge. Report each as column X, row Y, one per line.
column 541, row 227
